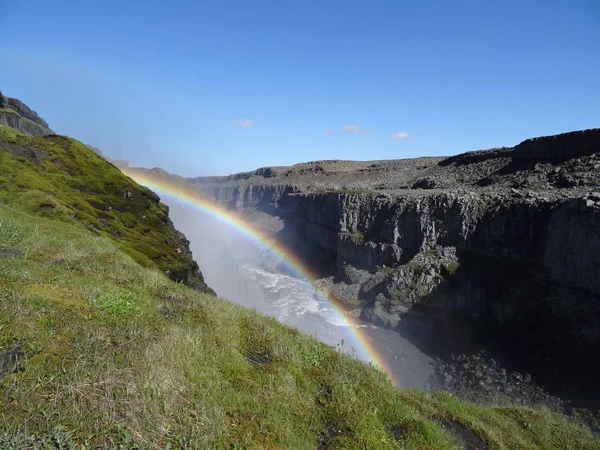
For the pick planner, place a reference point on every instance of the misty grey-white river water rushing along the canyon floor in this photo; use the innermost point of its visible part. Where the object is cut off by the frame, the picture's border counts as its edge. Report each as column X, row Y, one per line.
column 244, row 272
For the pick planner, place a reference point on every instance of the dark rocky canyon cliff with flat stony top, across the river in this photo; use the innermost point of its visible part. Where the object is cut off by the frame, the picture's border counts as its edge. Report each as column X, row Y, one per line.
column 508, row 237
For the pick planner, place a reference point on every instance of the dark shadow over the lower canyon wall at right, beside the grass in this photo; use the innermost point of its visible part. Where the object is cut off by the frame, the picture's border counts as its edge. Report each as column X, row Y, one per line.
column 491, row 306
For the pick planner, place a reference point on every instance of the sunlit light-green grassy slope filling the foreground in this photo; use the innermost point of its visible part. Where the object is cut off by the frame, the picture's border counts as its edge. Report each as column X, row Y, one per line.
column 117, row 355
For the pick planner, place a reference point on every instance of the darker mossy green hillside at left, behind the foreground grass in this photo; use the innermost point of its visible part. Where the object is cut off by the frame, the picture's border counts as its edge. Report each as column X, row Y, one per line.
column 59, row 177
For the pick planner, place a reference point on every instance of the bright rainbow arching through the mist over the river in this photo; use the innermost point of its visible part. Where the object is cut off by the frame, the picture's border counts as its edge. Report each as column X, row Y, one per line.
column 186, row 194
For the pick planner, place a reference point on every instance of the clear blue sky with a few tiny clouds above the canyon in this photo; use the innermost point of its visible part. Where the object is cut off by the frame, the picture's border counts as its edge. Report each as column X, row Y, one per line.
column 213, row 87
